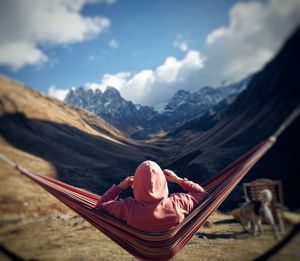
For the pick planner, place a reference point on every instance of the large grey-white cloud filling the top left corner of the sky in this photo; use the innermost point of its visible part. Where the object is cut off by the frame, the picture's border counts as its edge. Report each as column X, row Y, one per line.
column 27, row 25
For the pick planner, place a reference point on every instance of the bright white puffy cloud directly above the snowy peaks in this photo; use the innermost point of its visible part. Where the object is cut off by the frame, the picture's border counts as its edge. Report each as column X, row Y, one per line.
column 151, row 87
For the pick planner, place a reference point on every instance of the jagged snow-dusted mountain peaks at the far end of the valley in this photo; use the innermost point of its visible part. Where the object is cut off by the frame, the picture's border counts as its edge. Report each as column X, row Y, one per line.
column 138, row 120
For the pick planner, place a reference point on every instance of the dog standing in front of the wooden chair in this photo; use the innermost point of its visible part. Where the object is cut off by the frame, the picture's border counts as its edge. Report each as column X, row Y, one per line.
column 251, row 214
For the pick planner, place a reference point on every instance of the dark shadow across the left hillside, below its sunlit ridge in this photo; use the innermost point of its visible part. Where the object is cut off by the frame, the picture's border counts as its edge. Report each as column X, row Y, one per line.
column 80, row 159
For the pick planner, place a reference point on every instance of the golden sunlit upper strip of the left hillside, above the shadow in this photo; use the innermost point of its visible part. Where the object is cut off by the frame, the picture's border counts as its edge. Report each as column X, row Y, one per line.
column 15, row 97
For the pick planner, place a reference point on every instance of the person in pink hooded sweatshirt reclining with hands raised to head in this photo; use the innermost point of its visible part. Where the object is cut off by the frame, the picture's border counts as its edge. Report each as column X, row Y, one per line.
column 152, row 209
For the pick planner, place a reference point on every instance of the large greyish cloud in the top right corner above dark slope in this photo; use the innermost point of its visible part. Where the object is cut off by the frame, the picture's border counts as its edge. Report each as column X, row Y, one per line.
column 255, row 33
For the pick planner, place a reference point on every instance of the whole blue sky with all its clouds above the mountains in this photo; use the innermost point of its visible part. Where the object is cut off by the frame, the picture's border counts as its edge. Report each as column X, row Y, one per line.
column 143, row 47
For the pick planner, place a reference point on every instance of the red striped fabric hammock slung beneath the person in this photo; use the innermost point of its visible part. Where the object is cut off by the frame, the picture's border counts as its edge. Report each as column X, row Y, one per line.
column 145, row 245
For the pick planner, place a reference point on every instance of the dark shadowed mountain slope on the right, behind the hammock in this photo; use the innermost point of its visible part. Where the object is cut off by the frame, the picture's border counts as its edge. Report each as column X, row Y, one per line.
column 211, row 141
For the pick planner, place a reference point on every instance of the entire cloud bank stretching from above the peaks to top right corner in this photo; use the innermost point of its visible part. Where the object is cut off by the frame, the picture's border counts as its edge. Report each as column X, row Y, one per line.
column 254, row 35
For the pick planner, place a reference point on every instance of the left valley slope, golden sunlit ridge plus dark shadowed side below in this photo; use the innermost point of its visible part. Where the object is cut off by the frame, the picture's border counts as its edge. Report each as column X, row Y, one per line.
column 84, row 150
